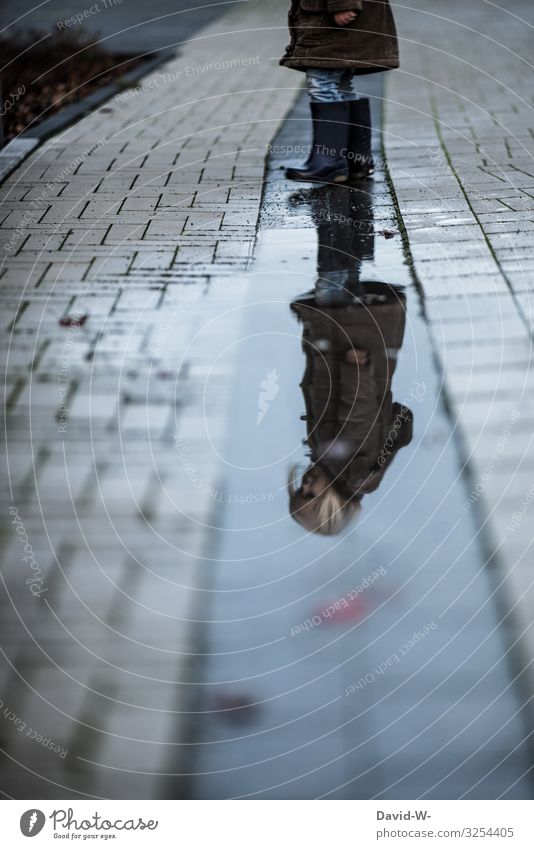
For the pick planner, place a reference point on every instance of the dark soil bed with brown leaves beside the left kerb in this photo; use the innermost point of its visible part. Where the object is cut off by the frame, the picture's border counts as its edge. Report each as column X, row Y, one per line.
column 43, row 73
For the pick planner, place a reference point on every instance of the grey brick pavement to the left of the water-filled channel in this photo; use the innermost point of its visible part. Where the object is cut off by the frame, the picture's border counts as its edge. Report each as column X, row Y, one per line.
column 120, row 239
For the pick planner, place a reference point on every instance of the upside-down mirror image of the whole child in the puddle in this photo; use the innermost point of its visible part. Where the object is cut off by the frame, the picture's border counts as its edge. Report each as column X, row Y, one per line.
column 352, row 332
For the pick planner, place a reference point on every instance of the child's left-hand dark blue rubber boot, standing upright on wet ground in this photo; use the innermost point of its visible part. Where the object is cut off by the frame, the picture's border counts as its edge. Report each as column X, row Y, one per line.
column 327, row 163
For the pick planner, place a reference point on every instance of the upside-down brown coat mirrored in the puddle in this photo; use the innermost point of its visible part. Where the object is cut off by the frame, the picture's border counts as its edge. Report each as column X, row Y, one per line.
column 354, row 426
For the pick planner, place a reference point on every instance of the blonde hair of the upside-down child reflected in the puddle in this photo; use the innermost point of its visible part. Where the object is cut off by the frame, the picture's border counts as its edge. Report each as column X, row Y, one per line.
column 327, row 514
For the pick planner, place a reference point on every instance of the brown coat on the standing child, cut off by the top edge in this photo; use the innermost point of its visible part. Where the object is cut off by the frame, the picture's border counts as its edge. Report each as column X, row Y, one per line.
column 367, row 45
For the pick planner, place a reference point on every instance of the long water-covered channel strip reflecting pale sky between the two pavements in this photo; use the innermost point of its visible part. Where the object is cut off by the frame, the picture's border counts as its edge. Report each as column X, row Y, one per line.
column 372, row 663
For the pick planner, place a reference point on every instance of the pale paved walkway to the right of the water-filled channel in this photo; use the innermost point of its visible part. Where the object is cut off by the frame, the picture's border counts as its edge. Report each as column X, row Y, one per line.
column 459, row 145
